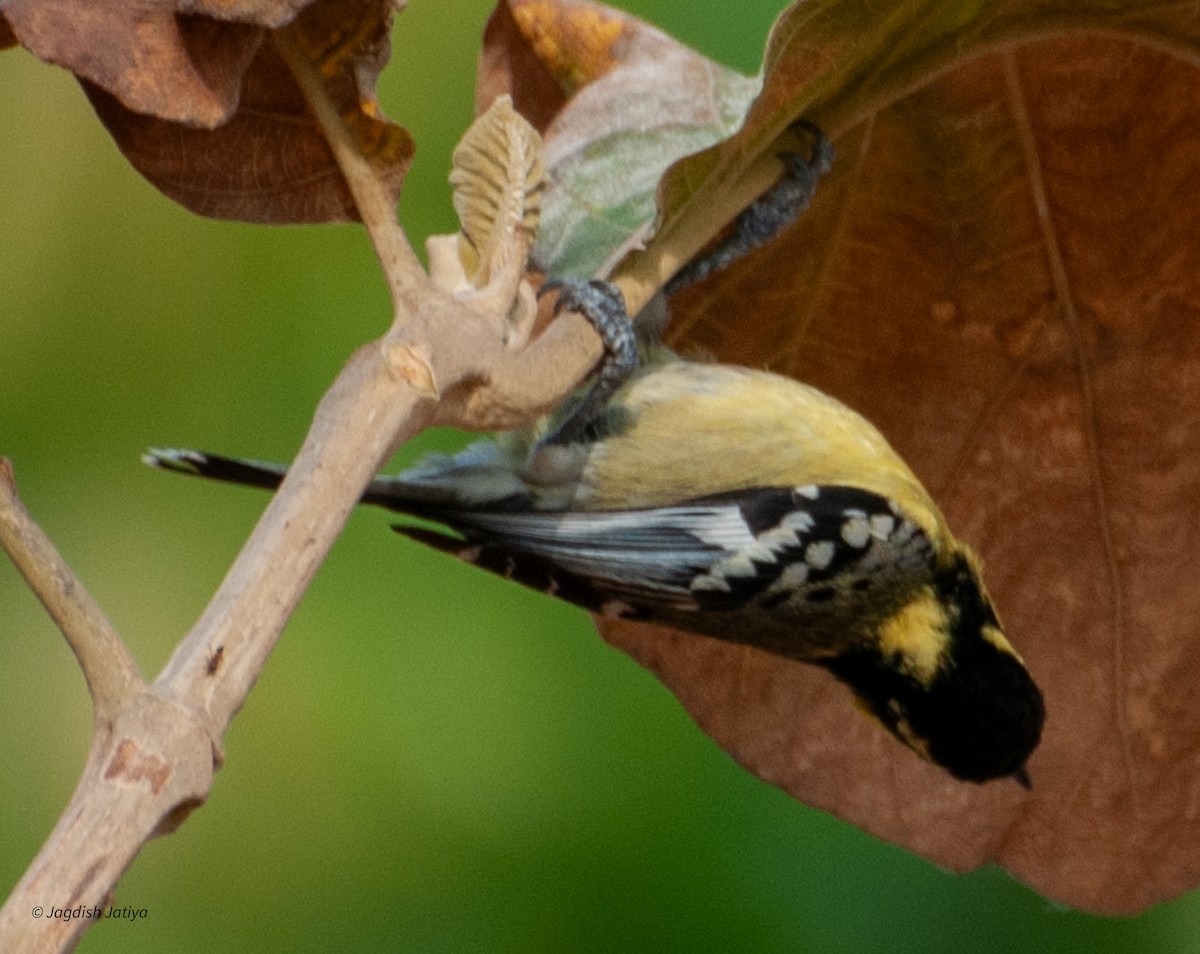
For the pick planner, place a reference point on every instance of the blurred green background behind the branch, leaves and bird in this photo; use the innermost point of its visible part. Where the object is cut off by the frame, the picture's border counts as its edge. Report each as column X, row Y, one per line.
column 433, row 760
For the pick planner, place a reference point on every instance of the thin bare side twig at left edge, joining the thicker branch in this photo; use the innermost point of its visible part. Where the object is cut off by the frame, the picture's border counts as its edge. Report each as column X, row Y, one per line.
column 106, row 663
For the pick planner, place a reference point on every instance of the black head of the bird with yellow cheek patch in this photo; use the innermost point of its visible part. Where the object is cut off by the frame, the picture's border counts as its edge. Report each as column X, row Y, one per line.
column 944, row 680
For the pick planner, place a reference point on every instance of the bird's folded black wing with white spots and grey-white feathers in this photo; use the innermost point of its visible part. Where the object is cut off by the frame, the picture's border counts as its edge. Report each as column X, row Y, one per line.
column 789, row 553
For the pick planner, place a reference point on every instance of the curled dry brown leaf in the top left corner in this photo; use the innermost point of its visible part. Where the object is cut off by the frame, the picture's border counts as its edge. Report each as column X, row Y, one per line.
column 202, row 106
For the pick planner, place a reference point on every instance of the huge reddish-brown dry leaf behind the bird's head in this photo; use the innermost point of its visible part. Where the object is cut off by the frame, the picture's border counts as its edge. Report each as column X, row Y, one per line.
column 1001, row 274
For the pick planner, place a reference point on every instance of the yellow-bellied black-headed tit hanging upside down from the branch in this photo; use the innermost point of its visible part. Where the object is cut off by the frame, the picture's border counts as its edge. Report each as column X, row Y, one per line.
column 740, row 506
